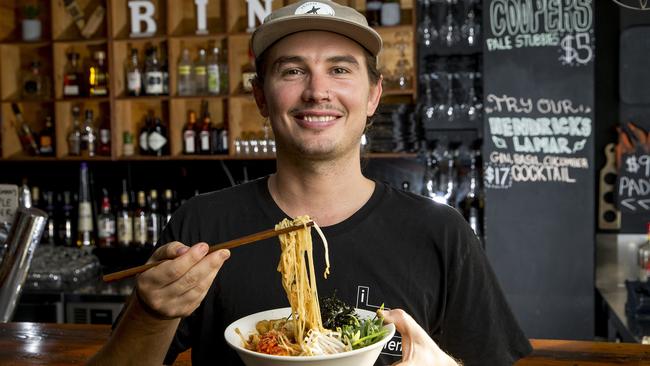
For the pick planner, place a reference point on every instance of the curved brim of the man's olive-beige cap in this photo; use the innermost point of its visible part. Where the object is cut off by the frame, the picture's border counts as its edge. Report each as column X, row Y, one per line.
column 275, row 30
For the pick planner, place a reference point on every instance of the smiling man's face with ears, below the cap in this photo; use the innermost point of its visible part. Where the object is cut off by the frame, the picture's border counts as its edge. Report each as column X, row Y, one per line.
column 317, row 94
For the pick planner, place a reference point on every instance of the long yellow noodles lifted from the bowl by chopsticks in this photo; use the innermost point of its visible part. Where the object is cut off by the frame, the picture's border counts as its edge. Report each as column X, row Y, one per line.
column 299, row 285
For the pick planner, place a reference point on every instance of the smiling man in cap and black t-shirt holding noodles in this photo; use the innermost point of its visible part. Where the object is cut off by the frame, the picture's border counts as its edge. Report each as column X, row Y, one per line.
column 318, row 84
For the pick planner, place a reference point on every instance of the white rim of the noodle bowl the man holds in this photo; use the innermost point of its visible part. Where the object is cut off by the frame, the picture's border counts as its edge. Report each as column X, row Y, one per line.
column 361, row 312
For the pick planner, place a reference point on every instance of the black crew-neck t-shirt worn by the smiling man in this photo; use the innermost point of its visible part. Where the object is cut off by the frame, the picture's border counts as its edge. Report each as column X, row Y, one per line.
column 399, row 249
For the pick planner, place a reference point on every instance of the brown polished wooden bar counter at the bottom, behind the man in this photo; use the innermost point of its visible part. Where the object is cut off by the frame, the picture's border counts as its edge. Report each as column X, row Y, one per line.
column 72, row 344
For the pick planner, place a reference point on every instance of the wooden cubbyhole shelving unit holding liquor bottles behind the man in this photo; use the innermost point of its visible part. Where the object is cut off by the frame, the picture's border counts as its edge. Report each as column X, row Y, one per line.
column 175, row 21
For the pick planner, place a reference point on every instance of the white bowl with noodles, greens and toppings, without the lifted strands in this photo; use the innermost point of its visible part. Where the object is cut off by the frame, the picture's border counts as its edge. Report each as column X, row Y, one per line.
column 268, row 338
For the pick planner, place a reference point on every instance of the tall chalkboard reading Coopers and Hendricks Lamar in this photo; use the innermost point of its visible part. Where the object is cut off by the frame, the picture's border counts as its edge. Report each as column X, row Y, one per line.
column 539, row 152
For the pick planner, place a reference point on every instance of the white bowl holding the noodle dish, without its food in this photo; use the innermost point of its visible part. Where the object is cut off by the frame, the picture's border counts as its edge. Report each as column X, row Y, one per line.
column 365, row 356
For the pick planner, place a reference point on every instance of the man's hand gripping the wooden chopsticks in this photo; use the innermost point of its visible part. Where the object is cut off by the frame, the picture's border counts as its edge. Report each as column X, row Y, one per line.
column 175, row 288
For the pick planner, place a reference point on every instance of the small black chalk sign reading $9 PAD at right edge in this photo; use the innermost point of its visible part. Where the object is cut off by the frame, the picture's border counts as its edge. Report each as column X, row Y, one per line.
column 634, row 183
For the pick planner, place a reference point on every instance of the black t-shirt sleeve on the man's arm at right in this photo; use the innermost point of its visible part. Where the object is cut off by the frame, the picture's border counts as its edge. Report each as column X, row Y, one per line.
column 479, row 327
